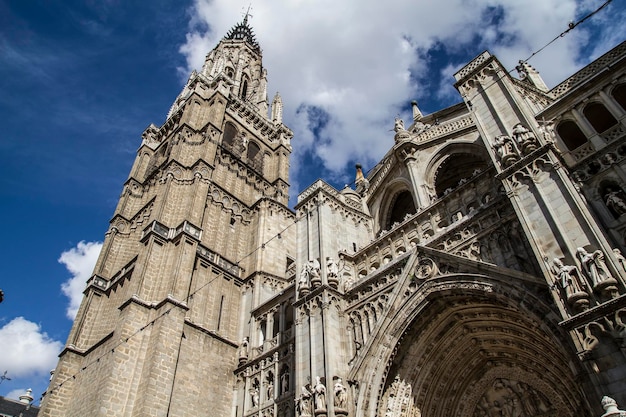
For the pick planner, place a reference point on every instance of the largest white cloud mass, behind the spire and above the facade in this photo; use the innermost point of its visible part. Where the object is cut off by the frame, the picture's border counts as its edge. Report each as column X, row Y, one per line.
column 353, row 58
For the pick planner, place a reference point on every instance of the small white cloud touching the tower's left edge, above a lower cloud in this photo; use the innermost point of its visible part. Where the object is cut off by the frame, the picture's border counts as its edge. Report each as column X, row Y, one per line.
column 80, row 262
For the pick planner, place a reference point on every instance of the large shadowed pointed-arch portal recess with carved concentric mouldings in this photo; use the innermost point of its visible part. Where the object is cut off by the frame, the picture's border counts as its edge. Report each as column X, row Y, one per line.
column 470, row 346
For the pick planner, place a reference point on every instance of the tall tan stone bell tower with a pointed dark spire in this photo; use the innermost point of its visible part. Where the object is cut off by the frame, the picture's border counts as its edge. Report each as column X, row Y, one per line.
column 188, row 252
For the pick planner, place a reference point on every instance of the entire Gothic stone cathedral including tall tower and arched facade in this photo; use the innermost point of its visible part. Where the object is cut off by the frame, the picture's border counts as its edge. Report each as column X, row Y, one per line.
column 476, row 270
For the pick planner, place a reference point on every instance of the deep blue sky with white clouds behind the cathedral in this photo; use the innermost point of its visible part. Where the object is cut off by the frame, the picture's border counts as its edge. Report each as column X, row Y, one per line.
column 80, row 81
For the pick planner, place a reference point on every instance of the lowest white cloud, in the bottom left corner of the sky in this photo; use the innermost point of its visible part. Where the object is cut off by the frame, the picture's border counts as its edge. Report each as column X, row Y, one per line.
column 26, row 350
